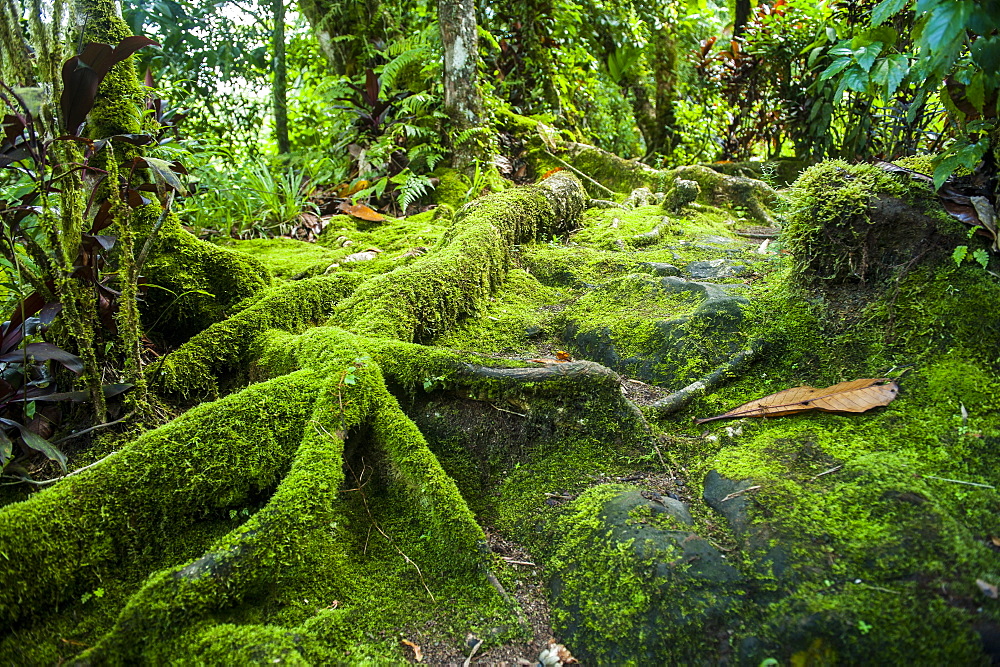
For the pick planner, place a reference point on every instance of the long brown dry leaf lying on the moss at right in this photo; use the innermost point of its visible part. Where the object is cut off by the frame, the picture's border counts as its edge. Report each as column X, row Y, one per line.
column 853, row 396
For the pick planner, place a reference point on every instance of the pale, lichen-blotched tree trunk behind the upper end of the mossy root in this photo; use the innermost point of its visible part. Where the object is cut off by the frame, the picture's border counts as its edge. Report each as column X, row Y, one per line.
column 462, row 103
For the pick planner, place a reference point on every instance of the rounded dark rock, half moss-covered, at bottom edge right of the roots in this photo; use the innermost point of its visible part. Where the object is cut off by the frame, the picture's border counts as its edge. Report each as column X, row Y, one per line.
column 655, row 580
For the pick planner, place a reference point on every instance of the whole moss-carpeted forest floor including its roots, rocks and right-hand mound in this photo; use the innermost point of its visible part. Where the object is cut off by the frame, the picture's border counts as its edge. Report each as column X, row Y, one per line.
column 384, row 434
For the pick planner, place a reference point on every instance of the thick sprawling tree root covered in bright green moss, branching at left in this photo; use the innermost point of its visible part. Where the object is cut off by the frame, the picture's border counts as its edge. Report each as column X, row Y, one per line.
column 318, row 441
